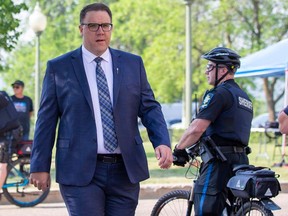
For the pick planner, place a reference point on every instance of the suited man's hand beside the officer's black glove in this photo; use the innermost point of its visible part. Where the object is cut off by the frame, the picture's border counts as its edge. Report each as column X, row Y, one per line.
column 164, row 155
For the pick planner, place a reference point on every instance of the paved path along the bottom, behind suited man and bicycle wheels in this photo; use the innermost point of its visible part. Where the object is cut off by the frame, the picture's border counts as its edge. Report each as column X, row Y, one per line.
column 144, row 208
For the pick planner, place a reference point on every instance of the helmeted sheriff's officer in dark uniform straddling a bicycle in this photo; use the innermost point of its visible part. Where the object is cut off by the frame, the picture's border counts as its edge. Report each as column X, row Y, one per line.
column 224, row 117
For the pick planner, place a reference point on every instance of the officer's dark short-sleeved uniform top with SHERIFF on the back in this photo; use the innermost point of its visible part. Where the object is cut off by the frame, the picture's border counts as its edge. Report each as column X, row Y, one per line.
column 230, row 111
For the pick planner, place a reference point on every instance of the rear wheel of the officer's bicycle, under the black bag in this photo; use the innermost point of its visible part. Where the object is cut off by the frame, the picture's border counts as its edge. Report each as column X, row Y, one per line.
column 254, row 208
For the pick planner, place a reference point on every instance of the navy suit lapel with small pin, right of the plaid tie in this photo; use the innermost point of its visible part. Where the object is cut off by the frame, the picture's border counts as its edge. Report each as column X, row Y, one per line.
column 117, row 75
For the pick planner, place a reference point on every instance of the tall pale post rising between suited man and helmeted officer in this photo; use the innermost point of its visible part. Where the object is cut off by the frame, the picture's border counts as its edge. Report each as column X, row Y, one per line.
column 188, row 64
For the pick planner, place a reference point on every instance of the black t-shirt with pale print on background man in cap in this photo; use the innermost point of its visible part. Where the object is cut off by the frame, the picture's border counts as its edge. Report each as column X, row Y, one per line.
column 23, row 106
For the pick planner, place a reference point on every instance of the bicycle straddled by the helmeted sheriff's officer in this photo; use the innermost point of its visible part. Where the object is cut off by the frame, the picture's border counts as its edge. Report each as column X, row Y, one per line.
column 180, row 202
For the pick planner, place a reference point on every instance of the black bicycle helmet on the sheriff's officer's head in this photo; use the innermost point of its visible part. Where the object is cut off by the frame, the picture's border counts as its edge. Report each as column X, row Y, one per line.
column 222, row 55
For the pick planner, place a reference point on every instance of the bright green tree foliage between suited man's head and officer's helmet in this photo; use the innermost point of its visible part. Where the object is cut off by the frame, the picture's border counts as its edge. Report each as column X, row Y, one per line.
column 155, row 29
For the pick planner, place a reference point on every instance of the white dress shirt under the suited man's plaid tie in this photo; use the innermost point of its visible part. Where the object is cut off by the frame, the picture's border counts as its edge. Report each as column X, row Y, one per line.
column 90, row 70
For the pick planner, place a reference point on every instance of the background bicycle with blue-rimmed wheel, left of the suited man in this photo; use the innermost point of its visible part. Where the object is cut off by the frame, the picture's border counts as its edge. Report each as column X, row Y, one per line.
column 16, row 188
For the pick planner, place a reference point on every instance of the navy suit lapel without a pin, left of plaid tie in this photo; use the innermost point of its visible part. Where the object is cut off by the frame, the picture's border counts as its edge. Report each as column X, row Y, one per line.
column 77, row 62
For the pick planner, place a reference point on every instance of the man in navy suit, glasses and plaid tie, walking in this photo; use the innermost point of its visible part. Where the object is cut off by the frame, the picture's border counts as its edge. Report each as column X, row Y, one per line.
column 92, row 179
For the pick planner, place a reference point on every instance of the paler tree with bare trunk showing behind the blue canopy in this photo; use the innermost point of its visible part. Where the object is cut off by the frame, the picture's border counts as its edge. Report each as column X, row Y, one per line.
column 260, row 23
